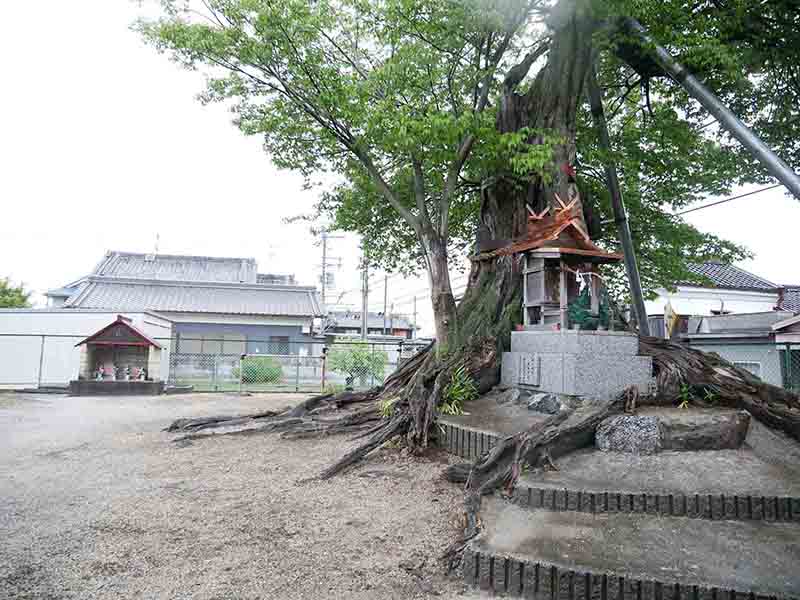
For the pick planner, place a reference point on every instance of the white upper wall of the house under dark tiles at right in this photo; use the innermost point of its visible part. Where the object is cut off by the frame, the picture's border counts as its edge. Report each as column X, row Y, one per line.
column 701, row 301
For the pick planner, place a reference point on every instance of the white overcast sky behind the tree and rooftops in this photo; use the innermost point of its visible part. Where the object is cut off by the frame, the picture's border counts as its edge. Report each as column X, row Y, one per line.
column 103, row 145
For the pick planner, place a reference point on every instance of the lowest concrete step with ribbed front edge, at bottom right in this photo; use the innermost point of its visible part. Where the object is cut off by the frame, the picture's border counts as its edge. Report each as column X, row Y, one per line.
column 550, row 555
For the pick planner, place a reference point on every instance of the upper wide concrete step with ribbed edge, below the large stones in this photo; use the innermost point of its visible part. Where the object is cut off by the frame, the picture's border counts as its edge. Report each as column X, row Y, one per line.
column 718, row 484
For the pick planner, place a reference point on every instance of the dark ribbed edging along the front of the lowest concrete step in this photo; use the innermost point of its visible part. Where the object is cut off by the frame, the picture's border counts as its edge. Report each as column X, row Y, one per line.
column 543, row 581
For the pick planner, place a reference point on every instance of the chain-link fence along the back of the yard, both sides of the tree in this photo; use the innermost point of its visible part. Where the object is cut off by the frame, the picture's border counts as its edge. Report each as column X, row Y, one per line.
column 40, row 361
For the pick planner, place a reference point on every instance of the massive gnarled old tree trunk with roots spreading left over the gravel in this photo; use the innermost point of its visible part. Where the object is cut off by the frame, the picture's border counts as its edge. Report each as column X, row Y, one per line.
column 475, row 334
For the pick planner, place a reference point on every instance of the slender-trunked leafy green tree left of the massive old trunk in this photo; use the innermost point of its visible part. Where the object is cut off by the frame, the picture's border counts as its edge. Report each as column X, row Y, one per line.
column 395, row 95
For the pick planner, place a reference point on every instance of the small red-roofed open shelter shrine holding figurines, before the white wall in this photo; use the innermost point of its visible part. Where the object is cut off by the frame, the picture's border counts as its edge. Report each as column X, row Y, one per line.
column 119, row 359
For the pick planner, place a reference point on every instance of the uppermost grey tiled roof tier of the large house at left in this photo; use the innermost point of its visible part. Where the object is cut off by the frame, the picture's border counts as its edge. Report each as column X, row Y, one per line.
column 177, row 268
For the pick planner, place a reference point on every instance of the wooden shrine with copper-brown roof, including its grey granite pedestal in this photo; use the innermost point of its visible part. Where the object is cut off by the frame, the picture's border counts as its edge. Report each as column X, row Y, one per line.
column 565, row 344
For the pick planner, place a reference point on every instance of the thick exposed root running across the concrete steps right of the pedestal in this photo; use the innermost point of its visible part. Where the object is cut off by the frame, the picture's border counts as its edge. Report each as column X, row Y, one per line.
column 710, row 380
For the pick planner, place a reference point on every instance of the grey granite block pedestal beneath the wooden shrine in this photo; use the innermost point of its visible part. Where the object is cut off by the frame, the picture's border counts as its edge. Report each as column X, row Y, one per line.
column 596, row 364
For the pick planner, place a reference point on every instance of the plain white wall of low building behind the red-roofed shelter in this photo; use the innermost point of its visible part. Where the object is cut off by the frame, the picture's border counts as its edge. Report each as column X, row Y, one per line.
column 47, row 337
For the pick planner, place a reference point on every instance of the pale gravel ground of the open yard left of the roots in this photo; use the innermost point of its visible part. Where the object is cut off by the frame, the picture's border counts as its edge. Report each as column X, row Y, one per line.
column 97, row 502
